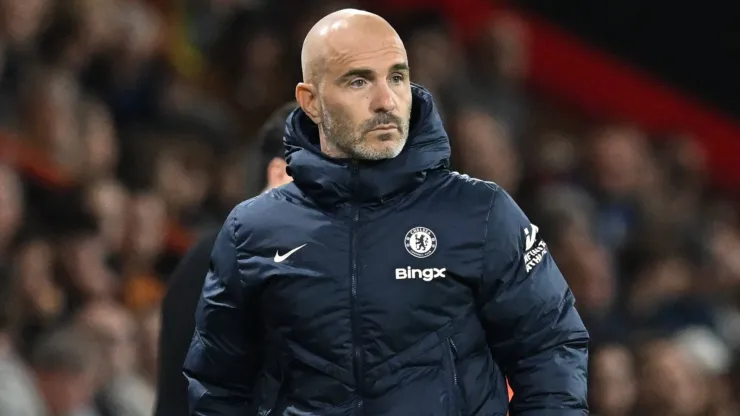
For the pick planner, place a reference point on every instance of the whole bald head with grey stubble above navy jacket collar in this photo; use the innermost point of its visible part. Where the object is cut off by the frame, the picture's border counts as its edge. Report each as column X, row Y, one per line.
column 356, row 85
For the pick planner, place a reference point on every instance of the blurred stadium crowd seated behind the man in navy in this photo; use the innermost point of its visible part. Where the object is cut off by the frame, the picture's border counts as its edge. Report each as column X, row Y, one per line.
column 126, row 125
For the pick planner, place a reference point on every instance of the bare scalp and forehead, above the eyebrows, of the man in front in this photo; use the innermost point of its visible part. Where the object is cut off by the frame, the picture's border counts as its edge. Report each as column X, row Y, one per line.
column 341, row 33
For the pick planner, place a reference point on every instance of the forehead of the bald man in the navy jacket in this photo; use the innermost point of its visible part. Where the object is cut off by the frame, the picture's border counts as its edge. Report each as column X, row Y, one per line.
column 373, row 51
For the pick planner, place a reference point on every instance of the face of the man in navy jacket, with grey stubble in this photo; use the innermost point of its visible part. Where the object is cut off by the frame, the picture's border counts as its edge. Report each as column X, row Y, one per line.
column 365, row 97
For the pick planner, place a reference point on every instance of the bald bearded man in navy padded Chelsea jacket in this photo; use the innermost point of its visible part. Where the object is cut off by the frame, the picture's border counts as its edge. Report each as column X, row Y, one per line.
column 379, row 282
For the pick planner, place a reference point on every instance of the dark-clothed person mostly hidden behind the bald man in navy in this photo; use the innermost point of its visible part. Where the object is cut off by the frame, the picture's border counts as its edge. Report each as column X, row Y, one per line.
column 186, row 282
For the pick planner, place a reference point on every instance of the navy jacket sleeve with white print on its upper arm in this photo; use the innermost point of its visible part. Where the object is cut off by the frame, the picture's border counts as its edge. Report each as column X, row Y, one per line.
column 533, row 329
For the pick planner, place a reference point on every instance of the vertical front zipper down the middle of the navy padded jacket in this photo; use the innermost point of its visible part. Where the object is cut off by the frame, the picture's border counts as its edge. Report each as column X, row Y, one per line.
column 356, row 345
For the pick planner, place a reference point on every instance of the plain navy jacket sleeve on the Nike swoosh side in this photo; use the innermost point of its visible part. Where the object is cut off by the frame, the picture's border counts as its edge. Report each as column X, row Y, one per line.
column 222, row 361
